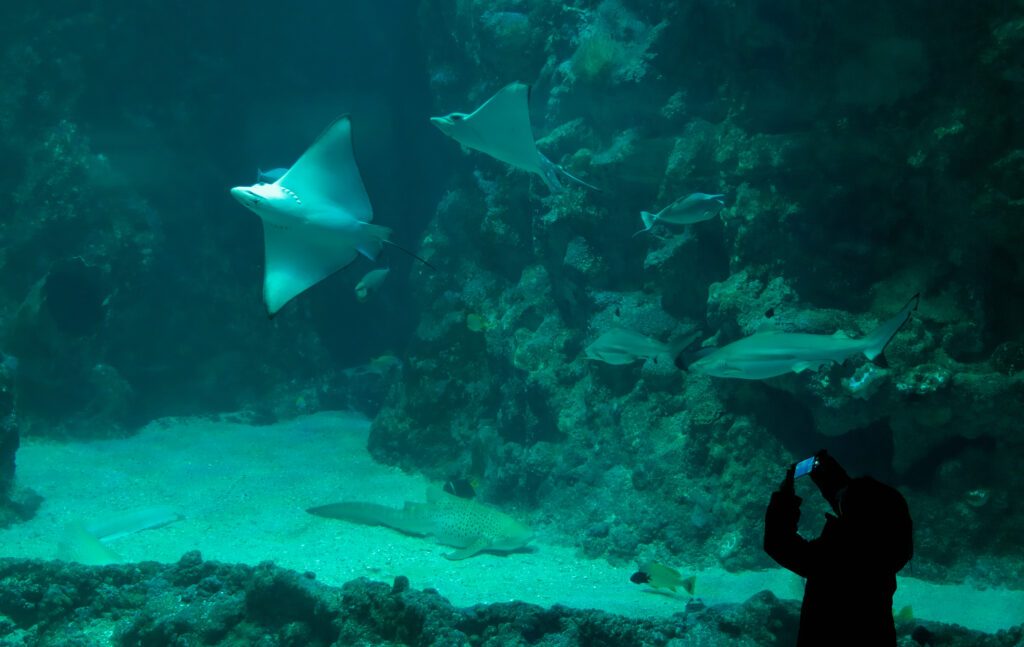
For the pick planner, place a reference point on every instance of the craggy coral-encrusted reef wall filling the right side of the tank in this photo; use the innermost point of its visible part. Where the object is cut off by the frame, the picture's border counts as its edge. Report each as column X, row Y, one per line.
column 868, row 152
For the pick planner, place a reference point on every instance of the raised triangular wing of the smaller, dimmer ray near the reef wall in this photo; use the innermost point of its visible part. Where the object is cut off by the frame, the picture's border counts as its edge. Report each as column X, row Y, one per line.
column 501, row 128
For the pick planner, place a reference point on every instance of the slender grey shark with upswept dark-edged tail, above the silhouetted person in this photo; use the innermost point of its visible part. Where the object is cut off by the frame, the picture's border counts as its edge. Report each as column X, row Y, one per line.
column 770, row 354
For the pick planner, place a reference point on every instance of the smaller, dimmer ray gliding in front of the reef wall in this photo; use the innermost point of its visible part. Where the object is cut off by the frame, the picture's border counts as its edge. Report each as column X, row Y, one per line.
column 501, row 128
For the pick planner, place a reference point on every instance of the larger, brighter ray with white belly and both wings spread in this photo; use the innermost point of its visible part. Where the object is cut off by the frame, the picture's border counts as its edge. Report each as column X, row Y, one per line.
column 317, row 218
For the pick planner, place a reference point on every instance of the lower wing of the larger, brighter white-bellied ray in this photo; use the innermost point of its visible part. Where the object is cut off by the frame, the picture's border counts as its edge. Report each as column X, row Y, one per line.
column 298, row 258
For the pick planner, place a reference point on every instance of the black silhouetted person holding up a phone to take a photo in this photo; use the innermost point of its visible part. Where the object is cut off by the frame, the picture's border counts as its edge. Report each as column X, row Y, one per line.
column 851, row 568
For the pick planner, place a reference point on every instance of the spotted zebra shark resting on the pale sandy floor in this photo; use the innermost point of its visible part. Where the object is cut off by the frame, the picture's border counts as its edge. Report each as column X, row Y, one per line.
column 462, row 524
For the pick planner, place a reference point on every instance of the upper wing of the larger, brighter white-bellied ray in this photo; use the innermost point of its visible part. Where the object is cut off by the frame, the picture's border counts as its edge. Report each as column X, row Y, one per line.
column 327, row 174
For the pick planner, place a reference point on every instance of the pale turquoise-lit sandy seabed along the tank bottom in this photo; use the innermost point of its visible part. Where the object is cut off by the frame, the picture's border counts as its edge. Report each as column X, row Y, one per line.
column 243, row 492
